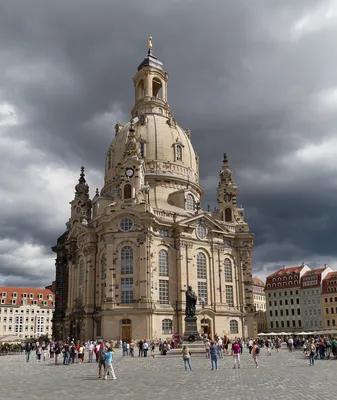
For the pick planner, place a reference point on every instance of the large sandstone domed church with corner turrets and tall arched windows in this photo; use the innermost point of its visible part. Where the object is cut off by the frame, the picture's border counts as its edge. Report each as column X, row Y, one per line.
column 129, row 254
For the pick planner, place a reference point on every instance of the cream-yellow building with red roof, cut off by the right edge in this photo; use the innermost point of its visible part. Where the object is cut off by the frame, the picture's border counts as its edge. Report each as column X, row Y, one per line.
column 329, row 300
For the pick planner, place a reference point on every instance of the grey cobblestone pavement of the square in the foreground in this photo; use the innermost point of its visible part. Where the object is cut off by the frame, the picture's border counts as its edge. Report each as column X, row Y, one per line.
column 283, row 375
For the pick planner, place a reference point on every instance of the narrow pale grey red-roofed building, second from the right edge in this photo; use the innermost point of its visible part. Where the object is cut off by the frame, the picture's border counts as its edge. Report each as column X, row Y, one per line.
column 311, row 298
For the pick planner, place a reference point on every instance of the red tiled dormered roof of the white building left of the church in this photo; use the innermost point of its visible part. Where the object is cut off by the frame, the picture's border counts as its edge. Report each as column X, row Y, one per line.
column 9, row 290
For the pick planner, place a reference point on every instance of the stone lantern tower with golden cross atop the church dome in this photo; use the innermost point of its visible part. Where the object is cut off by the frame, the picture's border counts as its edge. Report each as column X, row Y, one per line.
column 150, row 84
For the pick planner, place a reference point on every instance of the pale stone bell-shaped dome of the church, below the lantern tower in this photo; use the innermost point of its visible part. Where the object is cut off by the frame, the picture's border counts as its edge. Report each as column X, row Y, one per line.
column 159, row 138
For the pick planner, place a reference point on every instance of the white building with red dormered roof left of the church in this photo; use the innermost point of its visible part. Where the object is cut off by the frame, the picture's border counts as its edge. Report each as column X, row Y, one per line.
column 26, row 312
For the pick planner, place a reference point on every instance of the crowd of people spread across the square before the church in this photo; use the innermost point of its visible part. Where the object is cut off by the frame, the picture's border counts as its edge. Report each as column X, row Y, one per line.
column 71, row 352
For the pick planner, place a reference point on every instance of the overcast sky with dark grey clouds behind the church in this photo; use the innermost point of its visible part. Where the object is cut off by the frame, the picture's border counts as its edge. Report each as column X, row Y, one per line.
column 256, row 79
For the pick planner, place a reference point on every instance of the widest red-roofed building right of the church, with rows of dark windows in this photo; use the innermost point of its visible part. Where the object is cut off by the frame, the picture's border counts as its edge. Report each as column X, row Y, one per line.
column 283, row 294
